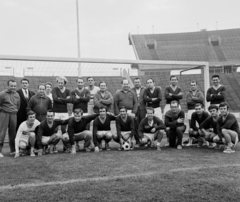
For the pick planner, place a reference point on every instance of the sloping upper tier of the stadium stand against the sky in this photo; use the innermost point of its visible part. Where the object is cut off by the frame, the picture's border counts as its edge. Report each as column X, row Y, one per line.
column 219, row 47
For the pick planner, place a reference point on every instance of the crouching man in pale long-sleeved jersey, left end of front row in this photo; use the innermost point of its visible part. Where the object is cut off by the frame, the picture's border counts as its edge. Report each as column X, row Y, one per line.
column 26, row 134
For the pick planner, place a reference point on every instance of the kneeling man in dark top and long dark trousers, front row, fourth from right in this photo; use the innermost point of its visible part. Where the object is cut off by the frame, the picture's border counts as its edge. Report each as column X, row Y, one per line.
column 174, row 121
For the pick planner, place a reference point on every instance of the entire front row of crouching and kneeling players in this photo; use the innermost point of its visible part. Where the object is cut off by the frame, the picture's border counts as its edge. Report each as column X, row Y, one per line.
column 212, row 130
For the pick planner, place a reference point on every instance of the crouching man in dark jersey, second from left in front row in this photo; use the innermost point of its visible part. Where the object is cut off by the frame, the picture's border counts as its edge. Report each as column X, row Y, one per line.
column 47, row 133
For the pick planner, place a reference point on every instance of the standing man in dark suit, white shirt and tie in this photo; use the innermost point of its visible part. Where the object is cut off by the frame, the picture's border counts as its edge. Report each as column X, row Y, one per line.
column 25, row 95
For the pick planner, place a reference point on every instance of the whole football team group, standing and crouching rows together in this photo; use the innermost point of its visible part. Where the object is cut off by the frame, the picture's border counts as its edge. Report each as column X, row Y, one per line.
column 37, row 122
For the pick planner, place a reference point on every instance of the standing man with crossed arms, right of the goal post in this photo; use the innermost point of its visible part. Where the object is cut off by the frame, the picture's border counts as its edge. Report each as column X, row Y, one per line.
column 217, row 93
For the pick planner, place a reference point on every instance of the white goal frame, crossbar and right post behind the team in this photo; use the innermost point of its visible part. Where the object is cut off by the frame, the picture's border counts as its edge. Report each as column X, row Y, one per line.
column 190, row 64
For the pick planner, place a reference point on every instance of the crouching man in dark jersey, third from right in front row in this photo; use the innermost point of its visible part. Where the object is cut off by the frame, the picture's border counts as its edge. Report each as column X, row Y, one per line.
column 196, row 119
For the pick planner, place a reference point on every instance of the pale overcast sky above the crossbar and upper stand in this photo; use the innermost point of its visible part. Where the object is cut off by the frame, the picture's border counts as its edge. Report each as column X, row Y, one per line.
column 48, row 27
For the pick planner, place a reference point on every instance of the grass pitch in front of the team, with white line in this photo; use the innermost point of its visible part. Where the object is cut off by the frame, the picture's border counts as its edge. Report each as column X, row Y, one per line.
column 191, row 174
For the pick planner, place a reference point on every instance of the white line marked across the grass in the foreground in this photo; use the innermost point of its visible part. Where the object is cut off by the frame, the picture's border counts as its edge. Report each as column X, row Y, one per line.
column 30, row 185
